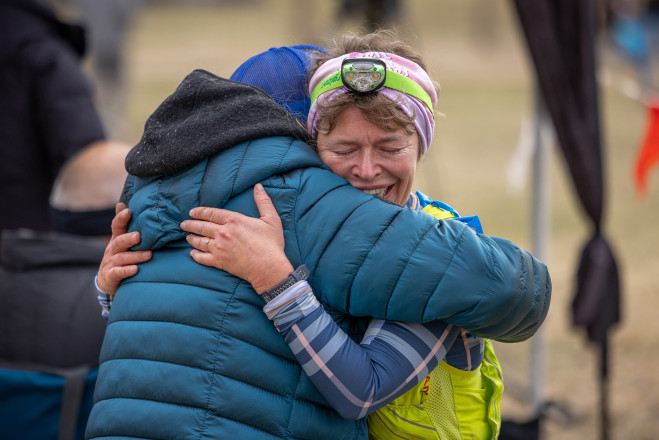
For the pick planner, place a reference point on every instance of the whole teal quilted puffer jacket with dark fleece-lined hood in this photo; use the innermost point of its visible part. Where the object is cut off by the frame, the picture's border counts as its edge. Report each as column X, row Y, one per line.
column 188, row 353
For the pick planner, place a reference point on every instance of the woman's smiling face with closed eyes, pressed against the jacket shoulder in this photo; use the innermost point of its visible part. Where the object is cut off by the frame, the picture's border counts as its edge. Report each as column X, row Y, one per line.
column 372, row 159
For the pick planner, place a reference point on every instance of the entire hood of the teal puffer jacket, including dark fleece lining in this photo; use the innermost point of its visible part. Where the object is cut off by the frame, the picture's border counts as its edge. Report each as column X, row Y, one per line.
column 211, row 140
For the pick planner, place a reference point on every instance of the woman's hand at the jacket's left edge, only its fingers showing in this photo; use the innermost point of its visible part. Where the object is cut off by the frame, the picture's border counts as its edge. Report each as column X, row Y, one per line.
column 118, row 262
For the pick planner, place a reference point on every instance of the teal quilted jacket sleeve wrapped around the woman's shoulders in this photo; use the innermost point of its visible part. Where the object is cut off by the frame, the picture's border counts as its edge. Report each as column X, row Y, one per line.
column 373, row 258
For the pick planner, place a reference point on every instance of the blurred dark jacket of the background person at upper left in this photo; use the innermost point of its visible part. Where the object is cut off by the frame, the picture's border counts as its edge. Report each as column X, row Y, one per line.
column 46, row 109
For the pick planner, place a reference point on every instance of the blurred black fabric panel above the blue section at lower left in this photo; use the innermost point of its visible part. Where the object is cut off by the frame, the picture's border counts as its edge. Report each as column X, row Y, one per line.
column 49, row 313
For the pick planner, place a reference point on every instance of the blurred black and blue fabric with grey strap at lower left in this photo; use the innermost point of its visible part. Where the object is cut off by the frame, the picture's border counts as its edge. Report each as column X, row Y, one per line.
column 51, row 332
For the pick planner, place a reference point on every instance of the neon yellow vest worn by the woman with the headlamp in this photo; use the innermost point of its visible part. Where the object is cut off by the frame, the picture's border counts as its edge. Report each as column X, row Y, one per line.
column 449, row 404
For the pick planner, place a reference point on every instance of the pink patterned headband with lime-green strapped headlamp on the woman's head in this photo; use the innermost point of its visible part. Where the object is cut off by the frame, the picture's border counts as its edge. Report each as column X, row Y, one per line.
column 397, row 78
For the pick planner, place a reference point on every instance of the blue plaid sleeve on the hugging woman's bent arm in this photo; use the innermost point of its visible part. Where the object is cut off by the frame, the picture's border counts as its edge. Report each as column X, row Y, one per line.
column 358, row 379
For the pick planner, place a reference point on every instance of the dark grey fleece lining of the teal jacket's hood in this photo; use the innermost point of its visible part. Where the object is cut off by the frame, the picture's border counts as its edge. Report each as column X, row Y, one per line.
column 204, row 116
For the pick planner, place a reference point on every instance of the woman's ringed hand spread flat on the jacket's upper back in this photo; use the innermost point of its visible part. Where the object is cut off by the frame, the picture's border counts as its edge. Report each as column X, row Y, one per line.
column 249, row 248
